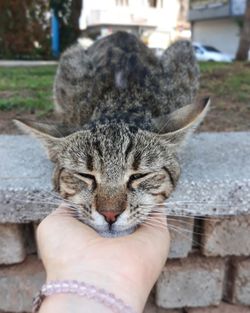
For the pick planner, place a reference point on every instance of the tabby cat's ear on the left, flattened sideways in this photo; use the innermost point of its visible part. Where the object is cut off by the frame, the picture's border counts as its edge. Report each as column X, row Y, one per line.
column 44, row 133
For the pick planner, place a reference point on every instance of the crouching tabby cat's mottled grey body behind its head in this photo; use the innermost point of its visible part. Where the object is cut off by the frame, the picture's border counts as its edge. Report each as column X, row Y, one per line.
column 119, row 78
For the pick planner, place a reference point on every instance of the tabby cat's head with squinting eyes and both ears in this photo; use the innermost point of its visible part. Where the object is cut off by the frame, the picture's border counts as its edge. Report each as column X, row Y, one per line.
column 114, row 174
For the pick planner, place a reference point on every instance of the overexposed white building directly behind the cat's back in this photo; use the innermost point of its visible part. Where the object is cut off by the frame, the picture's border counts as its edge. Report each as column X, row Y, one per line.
column 157, row 22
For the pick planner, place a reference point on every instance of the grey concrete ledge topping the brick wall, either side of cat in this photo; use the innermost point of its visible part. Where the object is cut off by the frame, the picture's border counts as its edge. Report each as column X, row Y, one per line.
column 215, row 178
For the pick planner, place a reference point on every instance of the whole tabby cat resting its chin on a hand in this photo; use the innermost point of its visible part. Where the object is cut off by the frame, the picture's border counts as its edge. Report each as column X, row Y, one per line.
column 125, row 114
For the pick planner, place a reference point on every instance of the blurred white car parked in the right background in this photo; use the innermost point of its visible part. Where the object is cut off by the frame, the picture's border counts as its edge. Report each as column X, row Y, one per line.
column 209, row 53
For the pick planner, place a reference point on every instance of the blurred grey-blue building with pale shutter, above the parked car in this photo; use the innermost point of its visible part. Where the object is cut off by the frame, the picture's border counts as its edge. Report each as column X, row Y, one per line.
column 217, row 23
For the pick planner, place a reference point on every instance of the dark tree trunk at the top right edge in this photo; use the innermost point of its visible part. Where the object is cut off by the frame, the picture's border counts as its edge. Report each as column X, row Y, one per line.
column 244, row 45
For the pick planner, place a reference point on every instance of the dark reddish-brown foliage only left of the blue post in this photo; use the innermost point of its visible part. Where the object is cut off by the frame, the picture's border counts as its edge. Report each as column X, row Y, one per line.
column 24, row 29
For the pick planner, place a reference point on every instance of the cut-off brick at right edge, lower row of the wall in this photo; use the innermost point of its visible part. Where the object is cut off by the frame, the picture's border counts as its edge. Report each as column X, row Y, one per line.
column 241, row 282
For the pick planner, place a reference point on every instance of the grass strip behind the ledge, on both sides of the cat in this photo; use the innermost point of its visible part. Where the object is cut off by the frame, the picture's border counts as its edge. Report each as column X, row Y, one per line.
column 29, row 89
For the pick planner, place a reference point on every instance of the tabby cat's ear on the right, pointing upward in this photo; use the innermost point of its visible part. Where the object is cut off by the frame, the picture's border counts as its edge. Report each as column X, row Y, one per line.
column 177, row 126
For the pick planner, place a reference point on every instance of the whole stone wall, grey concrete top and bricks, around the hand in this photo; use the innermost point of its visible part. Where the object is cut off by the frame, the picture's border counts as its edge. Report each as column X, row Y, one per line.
column 208, row 269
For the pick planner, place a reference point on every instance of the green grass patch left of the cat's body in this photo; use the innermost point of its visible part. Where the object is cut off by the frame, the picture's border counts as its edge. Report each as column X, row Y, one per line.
column 26, row 88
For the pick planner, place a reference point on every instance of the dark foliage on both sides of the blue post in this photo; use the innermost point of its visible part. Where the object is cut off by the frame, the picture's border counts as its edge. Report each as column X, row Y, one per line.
column 25, row 27
